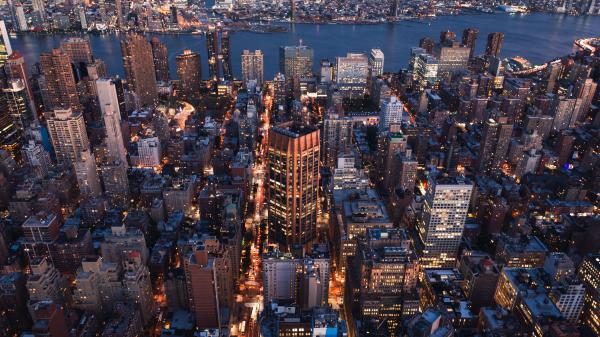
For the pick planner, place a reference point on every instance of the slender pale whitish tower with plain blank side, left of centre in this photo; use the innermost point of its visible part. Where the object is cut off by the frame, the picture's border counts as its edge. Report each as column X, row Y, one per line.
column 109, row 106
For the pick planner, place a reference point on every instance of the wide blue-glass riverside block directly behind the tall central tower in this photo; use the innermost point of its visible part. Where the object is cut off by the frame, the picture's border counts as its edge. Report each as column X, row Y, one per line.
column 296, row 61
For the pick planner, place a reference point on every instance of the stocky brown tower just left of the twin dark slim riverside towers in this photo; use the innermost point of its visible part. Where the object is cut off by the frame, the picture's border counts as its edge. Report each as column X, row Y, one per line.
column 189, row 73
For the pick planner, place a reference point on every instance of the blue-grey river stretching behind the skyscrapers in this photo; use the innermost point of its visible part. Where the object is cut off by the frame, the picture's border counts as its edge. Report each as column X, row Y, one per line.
column 538, row 37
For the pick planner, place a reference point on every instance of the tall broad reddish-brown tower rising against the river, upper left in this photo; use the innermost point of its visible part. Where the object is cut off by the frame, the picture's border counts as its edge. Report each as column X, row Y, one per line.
column 138, row 62
